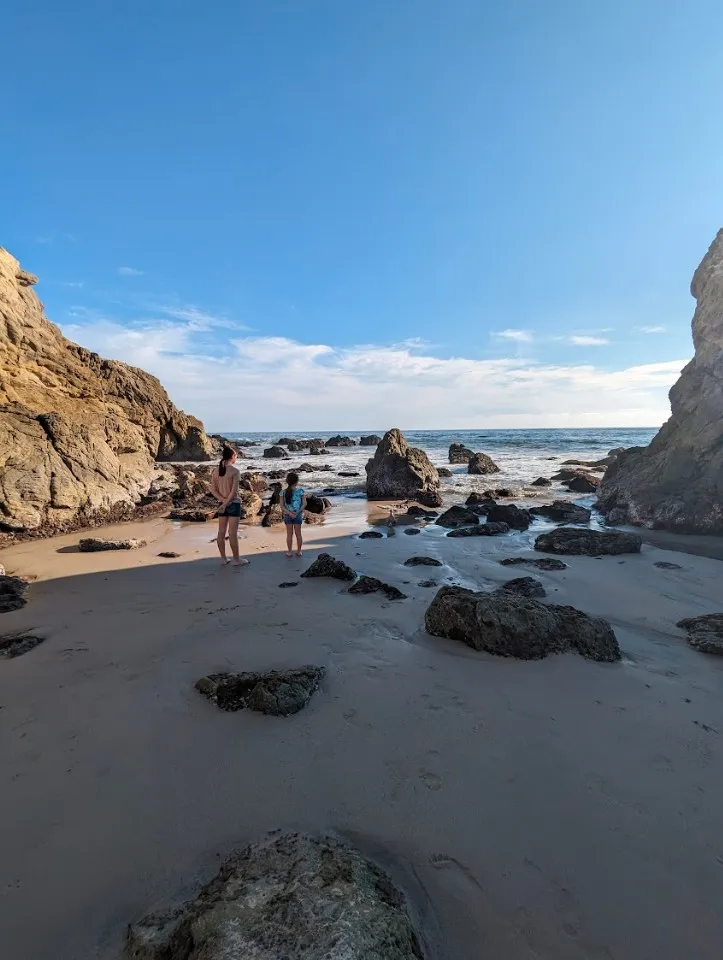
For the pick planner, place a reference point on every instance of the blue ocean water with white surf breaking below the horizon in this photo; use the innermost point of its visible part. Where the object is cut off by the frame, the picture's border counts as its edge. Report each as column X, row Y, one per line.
column 522, row 455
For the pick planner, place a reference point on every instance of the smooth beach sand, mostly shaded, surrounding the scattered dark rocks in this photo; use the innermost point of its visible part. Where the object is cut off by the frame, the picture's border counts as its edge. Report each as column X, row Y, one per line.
column 554, row 809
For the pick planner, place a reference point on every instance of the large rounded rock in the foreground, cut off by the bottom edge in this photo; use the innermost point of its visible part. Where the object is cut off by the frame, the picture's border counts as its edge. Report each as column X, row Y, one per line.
column 290, row 896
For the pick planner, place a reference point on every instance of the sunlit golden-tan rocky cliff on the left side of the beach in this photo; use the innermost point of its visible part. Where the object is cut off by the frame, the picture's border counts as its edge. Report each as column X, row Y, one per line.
column 78, row 434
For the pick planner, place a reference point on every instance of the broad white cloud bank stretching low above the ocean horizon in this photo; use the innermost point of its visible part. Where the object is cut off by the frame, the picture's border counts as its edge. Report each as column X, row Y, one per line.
column 280, row 384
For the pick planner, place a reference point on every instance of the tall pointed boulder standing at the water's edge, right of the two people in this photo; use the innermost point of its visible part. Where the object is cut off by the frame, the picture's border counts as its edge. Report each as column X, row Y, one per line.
column 400, row 472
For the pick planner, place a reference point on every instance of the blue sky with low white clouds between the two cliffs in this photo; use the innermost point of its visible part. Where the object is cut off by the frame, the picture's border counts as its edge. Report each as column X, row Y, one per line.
column 332, row 214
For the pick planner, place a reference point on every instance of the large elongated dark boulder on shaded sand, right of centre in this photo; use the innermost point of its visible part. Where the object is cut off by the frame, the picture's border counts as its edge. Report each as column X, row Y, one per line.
column 515, row 626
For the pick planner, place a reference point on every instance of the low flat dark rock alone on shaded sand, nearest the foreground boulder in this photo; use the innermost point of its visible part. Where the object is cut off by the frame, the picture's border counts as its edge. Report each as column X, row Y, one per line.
column 278, row 692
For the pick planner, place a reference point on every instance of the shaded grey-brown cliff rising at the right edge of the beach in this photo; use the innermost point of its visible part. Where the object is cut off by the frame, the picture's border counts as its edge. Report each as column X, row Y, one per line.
column 677, row 482
